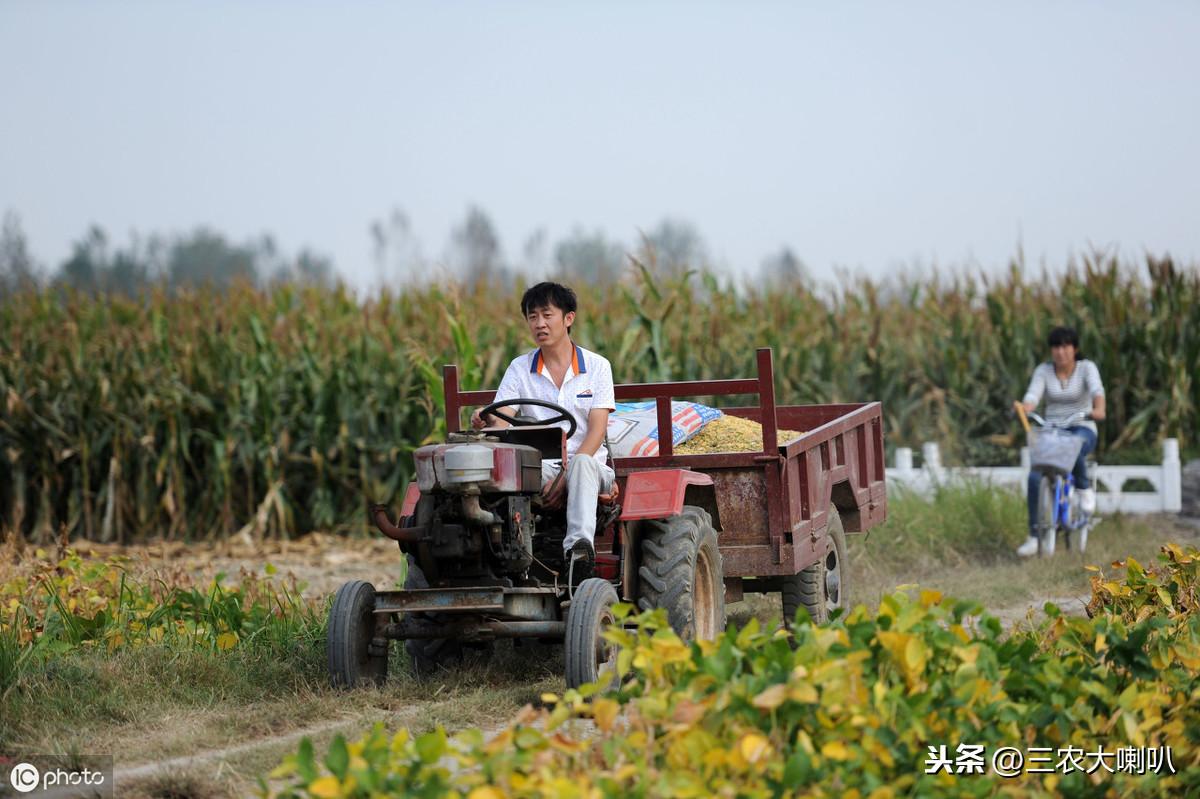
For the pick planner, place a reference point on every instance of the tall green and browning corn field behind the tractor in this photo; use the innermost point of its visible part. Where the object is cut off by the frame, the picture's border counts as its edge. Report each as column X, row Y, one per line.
column 272, row 413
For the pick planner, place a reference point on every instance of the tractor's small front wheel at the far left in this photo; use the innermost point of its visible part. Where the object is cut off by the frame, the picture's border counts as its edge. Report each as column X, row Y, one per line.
column 355, row 657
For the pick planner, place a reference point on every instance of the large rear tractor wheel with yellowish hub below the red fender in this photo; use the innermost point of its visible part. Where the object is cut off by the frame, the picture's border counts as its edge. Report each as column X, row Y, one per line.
column 682, row 573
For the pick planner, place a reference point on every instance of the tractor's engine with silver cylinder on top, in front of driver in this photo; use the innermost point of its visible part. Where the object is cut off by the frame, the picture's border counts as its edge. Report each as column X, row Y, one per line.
column 477, row 506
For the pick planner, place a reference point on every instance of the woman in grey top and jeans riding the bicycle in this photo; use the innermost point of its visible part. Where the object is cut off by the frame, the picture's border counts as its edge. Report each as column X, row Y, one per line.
column 1071, row 385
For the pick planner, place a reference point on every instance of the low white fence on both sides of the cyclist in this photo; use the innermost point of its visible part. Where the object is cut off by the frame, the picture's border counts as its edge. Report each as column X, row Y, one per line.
column 1112, row 497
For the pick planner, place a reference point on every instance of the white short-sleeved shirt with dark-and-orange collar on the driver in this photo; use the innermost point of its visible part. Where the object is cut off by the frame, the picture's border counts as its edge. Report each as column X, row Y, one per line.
column 587, row 386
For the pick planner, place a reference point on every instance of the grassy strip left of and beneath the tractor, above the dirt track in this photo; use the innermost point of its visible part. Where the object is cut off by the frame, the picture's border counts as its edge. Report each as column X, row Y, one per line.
column 171, row 700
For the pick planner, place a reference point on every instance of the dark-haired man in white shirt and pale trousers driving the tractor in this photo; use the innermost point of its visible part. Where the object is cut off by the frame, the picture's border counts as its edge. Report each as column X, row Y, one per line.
column 562, row 373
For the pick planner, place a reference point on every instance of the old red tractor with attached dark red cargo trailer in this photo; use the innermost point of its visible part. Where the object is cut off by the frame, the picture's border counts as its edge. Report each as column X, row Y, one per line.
column 687, row 533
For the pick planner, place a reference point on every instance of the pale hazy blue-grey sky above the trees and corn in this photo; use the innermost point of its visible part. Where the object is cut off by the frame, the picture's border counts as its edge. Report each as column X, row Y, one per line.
column 863, row 135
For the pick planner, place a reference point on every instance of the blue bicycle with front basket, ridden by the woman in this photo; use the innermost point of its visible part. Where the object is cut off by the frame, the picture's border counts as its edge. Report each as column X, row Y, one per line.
column 1054, row 453
